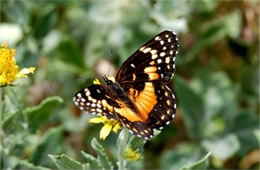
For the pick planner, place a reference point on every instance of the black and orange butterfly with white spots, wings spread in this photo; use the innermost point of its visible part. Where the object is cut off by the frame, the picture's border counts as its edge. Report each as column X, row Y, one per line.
column 138, row 96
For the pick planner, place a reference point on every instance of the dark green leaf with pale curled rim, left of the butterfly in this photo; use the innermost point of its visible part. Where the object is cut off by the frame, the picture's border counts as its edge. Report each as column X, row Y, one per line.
column 40, row 114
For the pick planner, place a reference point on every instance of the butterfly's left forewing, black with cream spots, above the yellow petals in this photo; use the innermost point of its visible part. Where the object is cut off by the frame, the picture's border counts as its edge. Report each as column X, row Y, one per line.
column 96, row 100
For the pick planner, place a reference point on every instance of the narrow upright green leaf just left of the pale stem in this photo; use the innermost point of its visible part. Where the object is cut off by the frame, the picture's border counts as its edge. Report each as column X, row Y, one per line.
column 102, row 157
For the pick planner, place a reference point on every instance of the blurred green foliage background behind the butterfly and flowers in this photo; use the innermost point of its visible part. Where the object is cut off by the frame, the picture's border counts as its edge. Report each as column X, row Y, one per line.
column 70, row 43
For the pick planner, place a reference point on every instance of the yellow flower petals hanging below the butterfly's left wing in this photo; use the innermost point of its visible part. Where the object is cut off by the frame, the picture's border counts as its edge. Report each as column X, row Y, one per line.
column 108, row 126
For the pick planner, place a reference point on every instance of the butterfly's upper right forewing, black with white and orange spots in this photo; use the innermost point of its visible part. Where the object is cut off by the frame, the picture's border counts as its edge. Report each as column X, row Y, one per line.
column 153, row 61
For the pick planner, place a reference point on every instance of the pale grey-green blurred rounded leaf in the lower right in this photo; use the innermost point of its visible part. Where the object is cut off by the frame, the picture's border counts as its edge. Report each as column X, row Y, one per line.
column 223, row 148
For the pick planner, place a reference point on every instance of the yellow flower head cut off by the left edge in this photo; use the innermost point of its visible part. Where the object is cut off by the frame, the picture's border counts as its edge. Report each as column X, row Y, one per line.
column 8, row 67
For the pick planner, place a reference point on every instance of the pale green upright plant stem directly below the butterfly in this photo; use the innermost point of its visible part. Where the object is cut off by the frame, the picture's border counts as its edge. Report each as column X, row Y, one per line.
column 122, row 142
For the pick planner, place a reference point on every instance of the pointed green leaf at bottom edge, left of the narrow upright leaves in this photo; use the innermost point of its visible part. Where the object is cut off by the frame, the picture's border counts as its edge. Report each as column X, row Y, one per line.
column 64, row 162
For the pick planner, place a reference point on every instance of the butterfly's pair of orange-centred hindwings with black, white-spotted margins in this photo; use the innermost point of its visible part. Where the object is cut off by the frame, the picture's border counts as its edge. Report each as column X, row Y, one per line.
column 155, row 103
